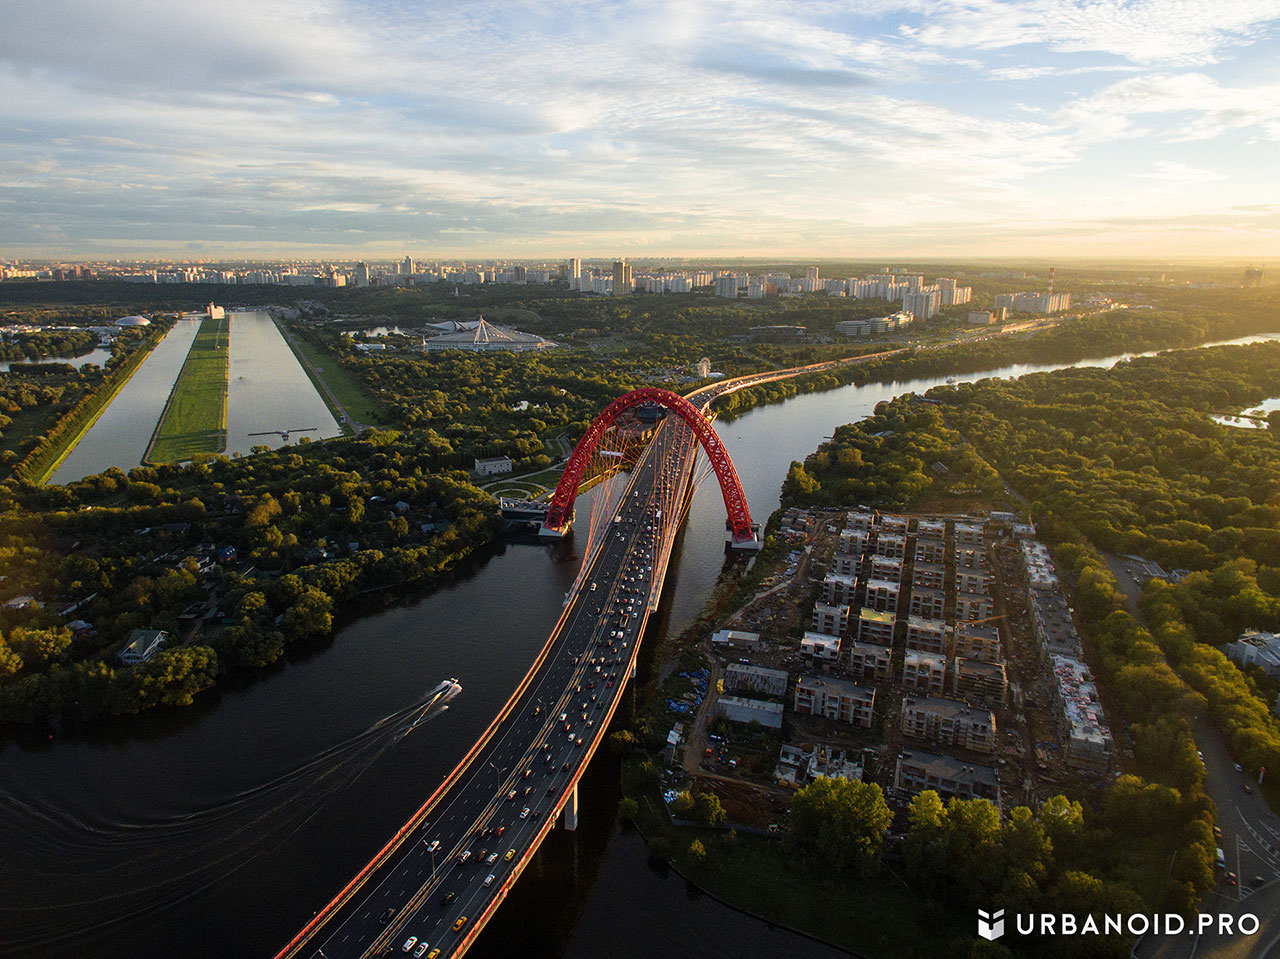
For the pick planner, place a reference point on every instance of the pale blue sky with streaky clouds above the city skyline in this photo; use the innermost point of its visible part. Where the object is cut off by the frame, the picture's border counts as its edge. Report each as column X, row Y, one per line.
column 368, row 129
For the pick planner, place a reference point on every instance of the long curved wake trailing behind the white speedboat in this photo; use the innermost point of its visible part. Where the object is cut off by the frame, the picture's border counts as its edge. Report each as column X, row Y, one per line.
column 112, row 873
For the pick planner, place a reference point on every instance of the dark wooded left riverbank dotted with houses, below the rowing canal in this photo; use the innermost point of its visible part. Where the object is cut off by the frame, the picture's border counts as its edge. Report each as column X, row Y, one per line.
column 313, row 528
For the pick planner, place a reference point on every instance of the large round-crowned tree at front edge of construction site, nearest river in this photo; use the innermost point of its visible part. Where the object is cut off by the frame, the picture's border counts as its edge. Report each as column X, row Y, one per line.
column 844, row 823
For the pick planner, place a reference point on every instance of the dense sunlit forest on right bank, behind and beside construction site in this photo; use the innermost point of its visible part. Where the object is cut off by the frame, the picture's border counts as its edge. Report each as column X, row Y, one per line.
column 1127, row 460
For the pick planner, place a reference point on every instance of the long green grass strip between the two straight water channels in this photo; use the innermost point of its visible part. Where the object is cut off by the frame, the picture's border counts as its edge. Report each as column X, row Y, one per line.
column 195, row 418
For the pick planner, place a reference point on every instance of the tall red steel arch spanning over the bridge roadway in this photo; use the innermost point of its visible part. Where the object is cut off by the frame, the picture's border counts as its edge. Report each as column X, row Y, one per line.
column 735, row 501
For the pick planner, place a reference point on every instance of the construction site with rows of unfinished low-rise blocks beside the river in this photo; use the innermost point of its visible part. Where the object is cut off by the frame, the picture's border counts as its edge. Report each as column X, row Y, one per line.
column 912, row 651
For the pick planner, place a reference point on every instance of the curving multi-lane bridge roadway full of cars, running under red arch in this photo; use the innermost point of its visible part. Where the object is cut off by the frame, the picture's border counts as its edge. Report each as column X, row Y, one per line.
column 446, row 871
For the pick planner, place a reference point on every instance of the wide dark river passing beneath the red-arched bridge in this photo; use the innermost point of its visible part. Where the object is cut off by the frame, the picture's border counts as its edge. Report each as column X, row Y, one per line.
column 218, row 830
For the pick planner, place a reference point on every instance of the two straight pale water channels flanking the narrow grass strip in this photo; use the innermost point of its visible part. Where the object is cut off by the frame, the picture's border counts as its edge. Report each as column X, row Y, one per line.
column 267, row 390
